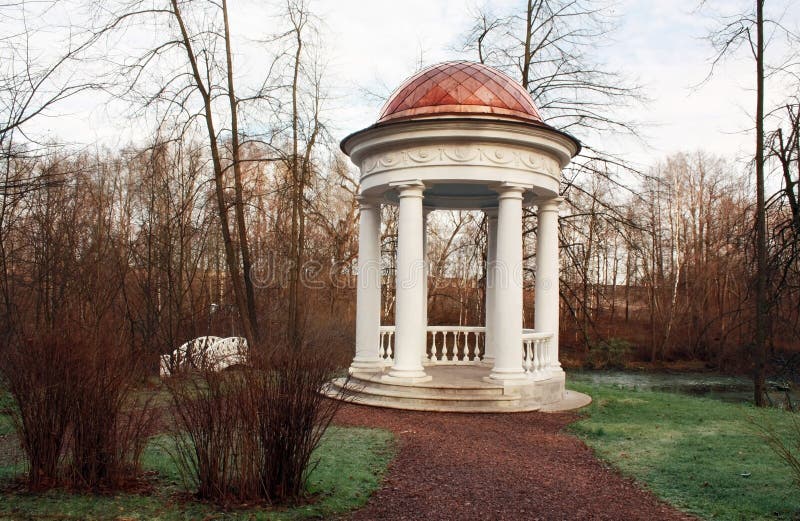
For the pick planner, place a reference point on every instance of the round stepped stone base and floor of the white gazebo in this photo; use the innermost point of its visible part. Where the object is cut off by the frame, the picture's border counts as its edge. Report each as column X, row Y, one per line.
column 458, row 388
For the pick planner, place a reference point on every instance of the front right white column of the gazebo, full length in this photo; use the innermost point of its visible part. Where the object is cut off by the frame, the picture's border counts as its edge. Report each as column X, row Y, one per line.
column 508, row 281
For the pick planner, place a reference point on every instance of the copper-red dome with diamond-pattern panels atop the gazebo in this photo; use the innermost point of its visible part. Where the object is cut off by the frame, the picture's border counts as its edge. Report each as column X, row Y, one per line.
column 463, row 88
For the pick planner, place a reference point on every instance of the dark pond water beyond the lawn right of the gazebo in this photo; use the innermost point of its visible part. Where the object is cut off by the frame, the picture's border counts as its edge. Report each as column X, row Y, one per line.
column 734, row 389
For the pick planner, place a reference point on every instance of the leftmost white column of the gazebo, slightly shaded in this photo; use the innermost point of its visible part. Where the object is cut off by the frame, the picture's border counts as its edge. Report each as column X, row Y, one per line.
column 368, row 292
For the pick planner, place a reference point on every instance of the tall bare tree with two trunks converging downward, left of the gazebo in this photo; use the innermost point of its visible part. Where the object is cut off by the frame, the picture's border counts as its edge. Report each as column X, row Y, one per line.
column 200, row 96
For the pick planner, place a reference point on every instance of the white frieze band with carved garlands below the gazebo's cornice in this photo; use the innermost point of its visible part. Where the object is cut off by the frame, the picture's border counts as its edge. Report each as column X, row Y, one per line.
column 483, row 155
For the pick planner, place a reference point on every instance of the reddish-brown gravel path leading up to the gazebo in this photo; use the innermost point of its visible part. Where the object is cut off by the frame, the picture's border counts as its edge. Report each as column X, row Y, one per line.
column 496, row 466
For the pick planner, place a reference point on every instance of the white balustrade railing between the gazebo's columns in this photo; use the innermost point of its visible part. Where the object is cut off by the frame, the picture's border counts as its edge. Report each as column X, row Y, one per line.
column 464, row 345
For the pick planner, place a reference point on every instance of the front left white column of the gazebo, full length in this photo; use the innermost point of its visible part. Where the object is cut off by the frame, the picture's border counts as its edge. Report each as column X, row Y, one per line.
column 409, row 286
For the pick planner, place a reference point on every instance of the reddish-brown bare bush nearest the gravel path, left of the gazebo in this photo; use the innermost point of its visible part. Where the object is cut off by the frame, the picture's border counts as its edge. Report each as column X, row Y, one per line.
column 249, row 434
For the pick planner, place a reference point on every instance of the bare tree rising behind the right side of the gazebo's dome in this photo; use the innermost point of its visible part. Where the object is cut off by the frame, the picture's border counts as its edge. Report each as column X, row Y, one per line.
column 548, row 46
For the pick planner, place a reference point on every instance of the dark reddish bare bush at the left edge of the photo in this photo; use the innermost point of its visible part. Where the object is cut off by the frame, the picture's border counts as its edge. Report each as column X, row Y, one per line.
column 76, row 411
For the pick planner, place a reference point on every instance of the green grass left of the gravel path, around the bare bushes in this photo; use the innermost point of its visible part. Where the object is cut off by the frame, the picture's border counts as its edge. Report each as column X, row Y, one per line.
column 351, row 463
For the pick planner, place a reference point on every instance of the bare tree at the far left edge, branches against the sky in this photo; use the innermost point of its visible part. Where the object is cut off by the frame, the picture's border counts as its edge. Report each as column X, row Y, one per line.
column 35, row 79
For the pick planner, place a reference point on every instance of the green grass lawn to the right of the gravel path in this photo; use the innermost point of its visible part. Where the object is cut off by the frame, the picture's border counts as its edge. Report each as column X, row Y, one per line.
column 703, row 456
